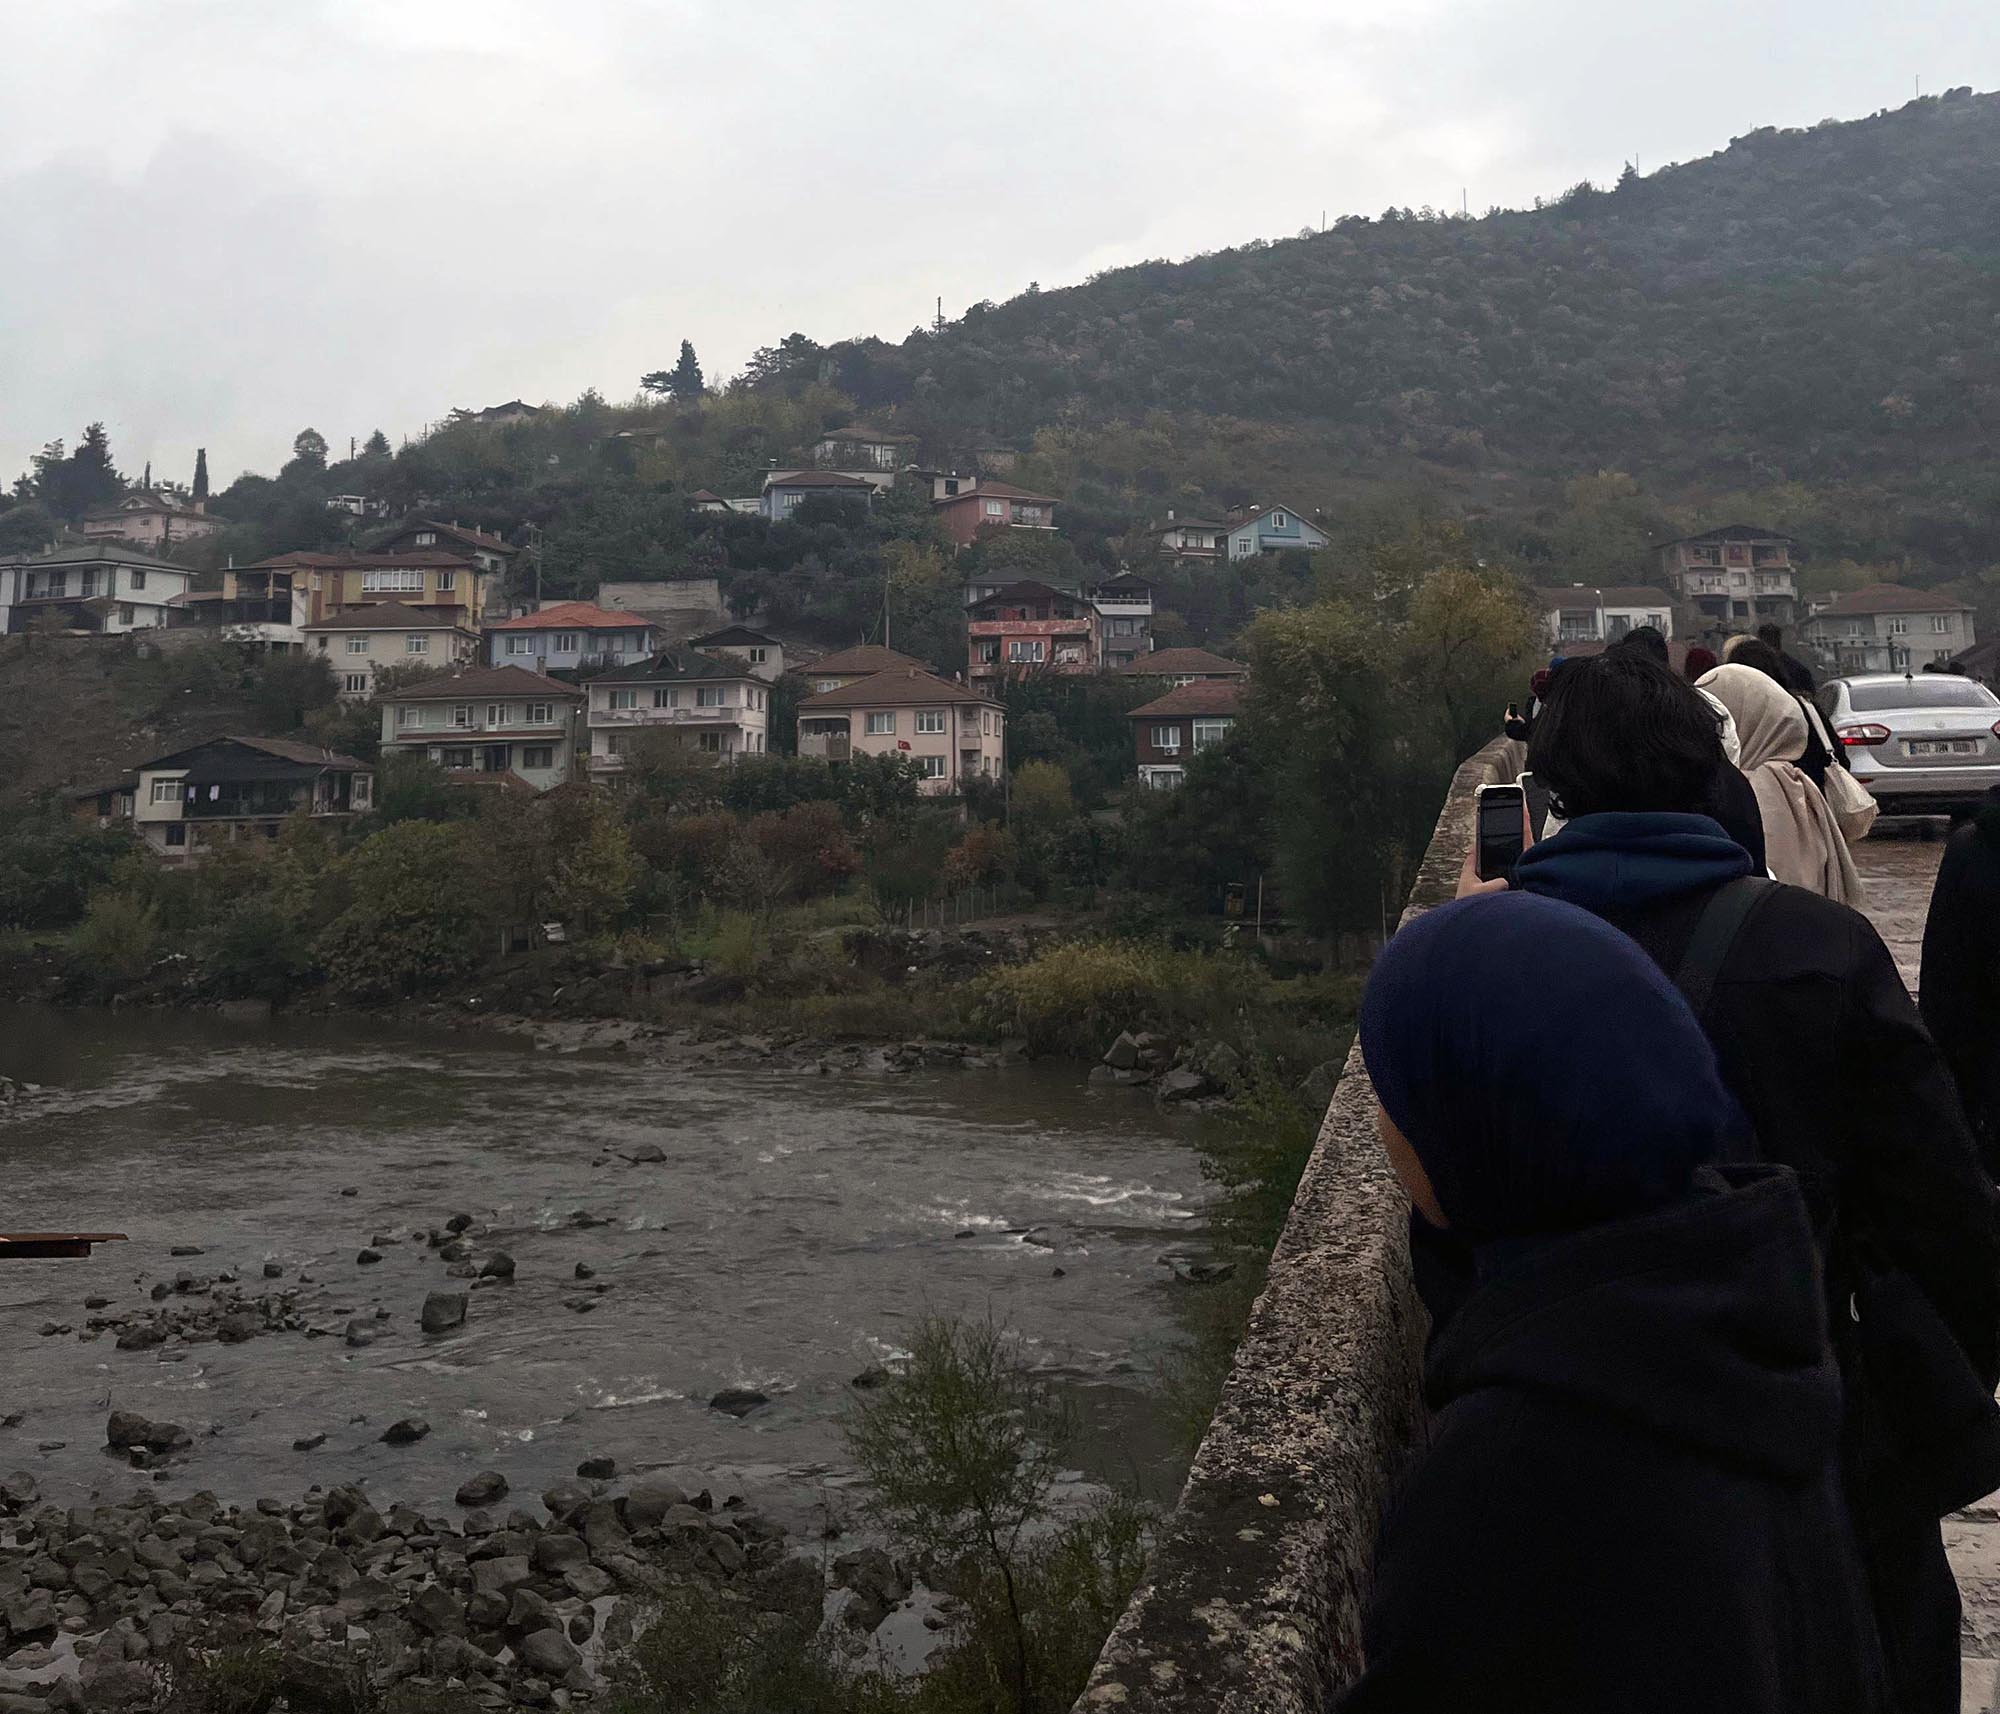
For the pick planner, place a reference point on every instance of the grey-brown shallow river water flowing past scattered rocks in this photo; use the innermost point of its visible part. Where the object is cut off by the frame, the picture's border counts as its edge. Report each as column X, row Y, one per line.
column 793, row 1237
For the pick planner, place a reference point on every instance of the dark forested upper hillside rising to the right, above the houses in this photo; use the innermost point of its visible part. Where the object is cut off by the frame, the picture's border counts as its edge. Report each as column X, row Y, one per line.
column 1807, row 303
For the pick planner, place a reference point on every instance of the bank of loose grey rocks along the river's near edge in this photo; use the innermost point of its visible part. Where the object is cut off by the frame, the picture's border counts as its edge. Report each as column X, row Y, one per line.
column 507, row 1605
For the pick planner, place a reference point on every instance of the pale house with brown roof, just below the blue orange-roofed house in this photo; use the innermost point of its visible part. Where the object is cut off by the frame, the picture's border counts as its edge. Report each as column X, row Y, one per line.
column 489, row 725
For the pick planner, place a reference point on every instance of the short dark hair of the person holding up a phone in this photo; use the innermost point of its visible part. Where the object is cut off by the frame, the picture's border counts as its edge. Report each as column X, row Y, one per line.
column 1625, row 733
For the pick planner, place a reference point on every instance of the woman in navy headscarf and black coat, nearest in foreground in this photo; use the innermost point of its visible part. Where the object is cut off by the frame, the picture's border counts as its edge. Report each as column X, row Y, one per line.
column 1629, row 1499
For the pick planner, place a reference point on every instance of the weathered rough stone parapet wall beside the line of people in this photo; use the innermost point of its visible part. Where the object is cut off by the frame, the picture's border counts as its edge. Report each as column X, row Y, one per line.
column 1255, row 1589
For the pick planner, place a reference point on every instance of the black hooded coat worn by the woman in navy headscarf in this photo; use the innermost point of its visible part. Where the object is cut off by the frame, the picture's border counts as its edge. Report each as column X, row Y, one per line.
column 1629, row 1497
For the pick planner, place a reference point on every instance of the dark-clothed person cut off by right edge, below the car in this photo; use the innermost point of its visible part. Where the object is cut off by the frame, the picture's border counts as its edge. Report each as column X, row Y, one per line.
column 1959, row 989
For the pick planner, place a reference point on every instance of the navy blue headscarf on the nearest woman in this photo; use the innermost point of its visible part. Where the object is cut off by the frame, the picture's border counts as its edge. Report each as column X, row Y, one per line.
column 1541, row 1065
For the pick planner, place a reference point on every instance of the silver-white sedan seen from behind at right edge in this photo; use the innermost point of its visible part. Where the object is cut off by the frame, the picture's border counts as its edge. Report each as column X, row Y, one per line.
column 1925, row 743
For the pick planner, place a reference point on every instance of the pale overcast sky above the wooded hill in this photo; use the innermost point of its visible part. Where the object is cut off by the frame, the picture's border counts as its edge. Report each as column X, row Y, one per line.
column 223, row 221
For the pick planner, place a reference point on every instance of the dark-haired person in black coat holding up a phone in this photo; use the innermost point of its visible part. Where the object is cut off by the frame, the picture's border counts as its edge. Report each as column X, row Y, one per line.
column 1843, row 1083
